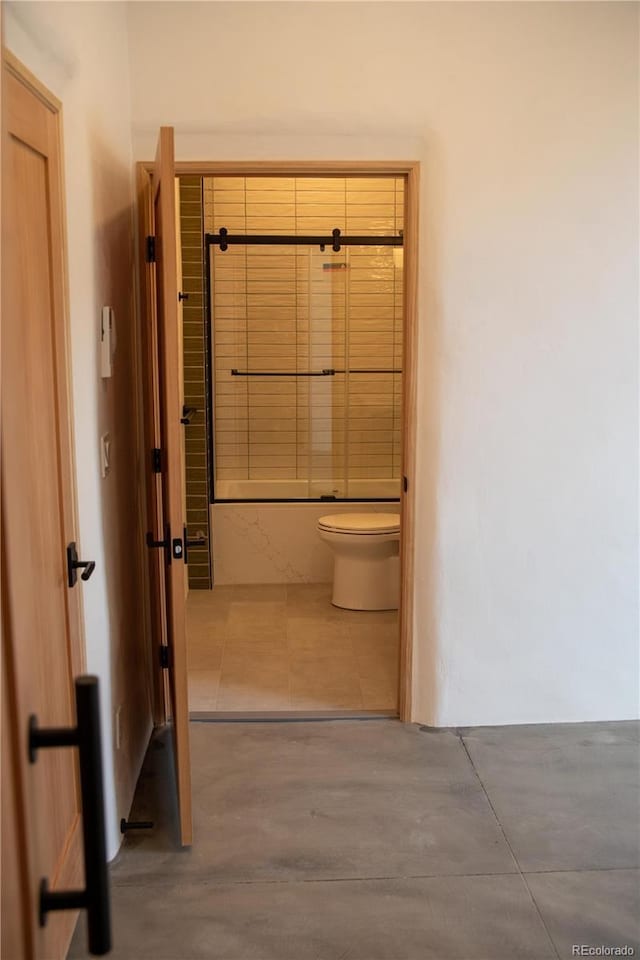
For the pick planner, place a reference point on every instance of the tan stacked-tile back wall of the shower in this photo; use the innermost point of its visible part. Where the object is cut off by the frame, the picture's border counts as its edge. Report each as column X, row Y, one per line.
column 298, row 309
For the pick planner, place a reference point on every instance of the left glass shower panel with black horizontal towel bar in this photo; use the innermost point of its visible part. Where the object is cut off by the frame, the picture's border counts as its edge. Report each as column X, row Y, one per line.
column 255, row 400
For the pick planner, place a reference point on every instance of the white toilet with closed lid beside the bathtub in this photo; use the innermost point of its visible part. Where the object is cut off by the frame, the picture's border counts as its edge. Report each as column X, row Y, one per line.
column 366, row 554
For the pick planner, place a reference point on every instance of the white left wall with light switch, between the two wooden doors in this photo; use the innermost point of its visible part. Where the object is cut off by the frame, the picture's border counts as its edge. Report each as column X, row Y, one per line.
column 79, row 51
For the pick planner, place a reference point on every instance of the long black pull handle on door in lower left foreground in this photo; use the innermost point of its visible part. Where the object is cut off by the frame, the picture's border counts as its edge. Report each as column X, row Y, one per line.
column 86, row 737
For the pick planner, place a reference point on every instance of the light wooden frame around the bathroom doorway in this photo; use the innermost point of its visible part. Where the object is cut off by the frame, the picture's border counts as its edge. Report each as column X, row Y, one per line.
column 409, row 170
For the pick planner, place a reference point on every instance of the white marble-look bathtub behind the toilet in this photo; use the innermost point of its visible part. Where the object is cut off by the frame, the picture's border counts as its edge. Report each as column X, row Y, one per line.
column 261, row 539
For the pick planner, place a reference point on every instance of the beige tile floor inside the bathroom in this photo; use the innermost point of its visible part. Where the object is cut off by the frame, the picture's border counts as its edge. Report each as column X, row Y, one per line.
column 285, row 647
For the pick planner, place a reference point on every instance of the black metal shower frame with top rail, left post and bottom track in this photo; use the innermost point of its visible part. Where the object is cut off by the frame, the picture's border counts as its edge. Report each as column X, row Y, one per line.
column 224, row 239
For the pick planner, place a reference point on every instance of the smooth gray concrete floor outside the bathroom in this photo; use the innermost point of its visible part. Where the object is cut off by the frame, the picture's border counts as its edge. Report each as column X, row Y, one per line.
column 371, row 840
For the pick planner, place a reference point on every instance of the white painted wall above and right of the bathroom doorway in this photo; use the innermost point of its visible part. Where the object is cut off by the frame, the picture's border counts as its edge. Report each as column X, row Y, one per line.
column 525, row 118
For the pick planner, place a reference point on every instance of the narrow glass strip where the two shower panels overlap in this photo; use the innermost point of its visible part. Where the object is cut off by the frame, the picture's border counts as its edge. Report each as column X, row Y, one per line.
column 326, row 321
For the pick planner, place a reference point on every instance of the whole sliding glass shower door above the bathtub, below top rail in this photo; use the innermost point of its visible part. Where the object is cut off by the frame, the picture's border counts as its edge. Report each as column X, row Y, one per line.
column 306, row 355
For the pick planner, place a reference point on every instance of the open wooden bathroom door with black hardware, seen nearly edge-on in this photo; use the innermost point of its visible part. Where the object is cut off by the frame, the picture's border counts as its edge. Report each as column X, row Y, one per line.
column 167, row 542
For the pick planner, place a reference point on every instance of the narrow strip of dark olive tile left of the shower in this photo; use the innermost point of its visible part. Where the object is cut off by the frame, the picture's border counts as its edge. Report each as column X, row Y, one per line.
column 191, row 240
